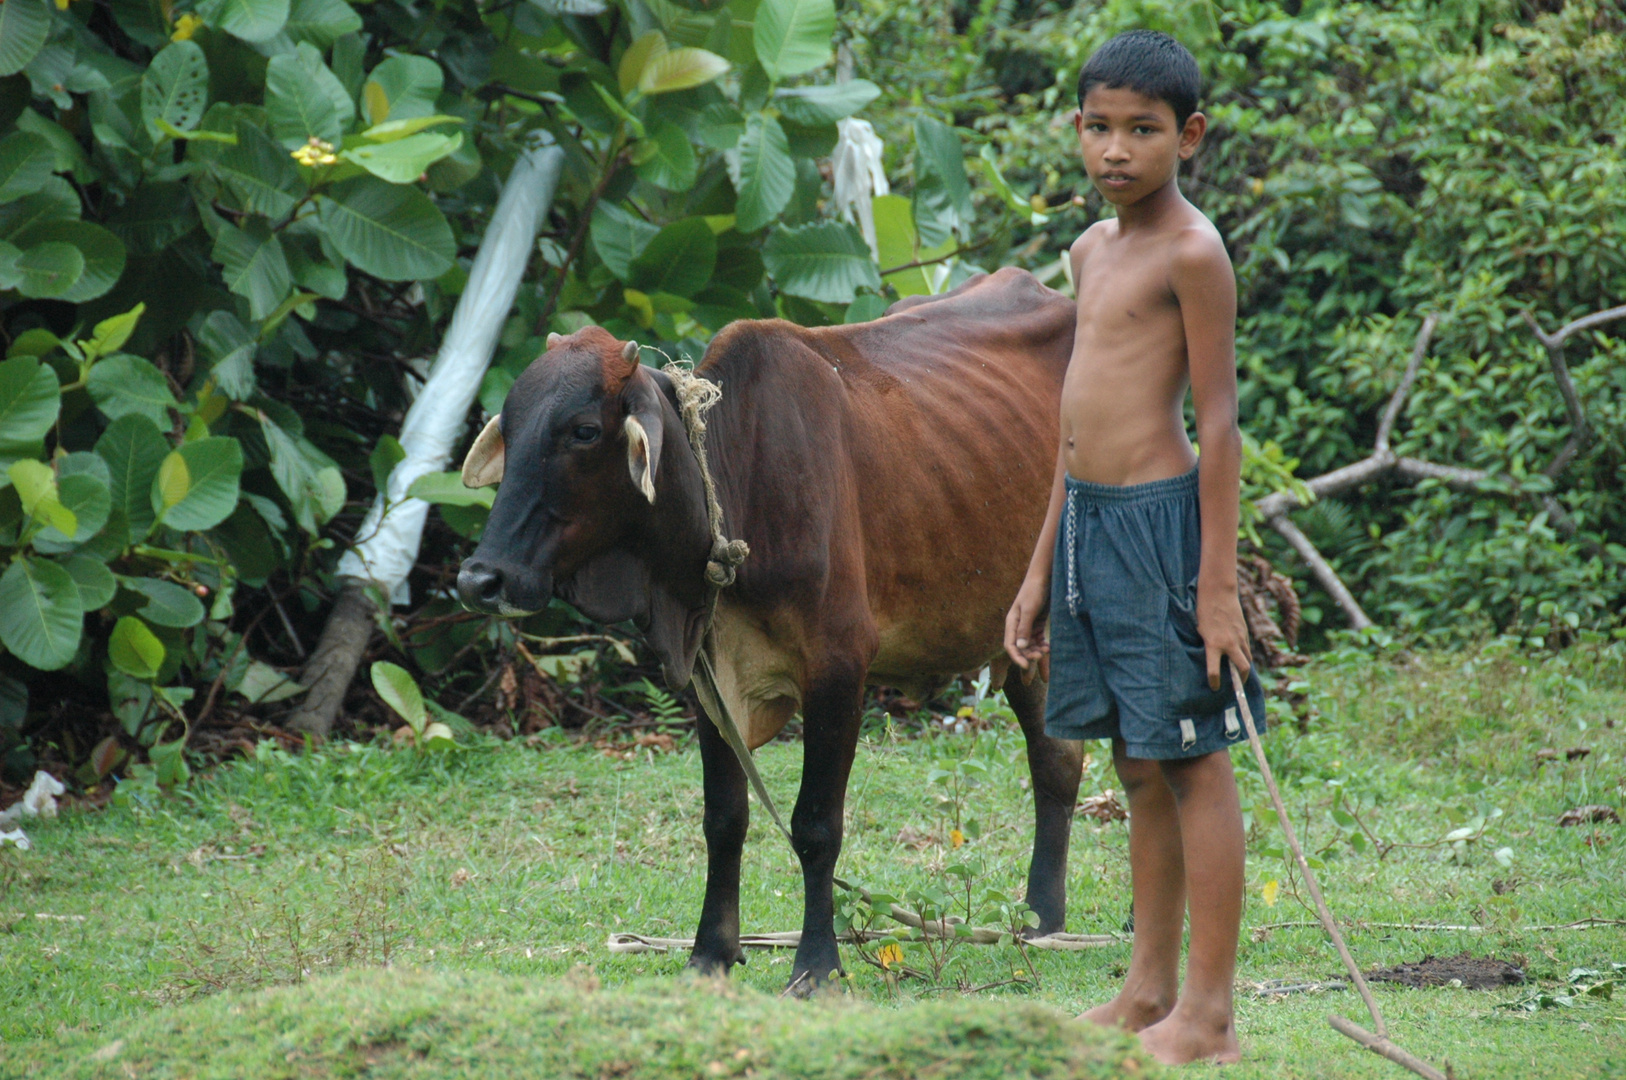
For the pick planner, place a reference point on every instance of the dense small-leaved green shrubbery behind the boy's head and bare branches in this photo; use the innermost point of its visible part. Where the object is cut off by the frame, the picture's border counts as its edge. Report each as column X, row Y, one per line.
column 1368, row 163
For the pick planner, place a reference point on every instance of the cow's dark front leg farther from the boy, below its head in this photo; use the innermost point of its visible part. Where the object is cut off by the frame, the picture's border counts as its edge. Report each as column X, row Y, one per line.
column 728, row 816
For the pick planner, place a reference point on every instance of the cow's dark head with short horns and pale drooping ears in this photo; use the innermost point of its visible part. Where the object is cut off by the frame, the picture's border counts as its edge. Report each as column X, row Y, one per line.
column 581, row 512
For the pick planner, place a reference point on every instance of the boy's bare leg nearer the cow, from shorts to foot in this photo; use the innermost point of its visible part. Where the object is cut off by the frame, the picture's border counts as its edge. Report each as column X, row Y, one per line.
column 1159, row 876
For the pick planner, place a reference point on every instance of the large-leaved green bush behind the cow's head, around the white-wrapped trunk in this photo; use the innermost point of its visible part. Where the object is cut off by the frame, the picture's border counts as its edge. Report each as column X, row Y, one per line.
column 225, row 232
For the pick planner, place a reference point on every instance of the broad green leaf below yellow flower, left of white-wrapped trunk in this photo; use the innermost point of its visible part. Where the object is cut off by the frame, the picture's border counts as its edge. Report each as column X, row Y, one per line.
column 388, row 230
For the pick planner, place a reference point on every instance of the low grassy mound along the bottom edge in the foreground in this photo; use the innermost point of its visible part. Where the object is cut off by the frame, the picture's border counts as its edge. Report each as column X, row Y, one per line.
column 437, row 1024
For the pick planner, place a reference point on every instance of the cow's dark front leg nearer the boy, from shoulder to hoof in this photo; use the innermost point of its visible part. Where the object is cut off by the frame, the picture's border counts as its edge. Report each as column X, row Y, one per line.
column 830, row 715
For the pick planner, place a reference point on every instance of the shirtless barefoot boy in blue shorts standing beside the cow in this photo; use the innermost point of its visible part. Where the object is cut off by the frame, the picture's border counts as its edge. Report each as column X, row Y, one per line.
column 1137, row 559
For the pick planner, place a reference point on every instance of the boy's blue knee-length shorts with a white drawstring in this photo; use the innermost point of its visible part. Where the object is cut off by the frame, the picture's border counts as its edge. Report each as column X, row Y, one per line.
column 1126, row 658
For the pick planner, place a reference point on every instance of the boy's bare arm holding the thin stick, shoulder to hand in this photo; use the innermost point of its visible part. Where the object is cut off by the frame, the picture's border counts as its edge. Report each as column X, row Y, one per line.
column 1206, row 287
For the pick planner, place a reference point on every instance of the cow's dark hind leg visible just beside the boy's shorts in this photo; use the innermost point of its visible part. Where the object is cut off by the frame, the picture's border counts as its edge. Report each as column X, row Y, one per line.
column 1056, row 767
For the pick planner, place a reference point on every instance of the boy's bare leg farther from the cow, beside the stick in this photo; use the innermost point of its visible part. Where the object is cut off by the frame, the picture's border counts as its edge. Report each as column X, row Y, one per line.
column 1202, row 1026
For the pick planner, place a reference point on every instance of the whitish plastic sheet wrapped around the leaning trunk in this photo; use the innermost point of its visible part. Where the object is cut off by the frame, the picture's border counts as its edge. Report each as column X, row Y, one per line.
column 388, row 542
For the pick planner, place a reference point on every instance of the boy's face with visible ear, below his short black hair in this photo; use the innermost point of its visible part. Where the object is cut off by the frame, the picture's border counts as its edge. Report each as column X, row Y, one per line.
column 1131, row 144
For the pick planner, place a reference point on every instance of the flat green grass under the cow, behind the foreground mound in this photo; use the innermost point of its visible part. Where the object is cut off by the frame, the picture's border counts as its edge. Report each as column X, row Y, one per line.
column 495, row 871
